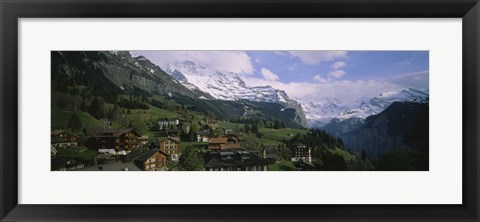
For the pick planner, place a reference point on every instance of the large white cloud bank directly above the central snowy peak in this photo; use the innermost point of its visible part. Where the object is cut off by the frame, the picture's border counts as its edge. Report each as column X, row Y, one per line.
column 234, row 61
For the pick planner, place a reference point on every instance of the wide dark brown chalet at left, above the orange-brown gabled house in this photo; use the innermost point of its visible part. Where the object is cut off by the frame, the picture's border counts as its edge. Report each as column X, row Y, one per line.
column 112, row 141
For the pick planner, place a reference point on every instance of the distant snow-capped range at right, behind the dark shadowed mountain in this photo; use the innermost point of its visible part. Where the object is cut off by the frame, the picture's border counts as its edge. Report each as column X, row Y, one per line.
column 321, row 112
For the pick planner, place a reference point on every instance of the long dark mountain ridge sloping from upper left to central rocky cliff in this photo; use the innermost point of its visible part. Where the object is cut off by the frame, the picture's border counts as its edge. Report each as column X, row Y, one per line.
column 80, row 76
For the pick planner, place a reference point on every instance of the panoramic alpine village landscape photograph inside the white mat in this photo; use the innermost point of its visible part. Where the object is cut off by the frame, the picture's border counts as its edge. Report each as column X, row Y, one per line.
column 253, row 110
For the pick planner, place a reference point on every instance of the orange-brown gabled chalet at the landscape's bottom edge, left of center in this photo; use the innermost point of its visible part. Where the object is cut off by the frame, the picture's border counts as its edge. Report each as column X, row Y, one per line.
column 152, row 160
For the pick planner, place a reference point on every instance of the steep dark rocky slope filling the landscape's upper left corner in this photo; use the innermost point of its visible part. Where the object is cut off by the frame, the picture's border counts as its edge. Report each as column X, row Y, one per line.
column 117, row 72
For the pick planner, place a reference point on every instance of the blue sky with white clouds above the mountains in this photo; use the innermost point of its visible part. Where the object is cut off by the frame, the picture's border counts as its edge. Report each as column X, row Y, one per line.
column 312, row 75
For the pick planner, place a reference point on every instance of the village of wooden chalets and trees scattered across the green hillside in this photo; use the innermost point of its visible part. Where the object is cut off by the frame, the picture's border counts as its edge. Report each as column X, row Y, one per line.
column 215, row 149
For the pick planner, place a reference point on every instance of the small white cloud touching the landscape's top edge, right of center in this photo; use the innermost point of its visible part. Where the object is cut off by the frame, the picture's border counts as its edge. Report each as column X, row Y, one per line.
column 316, row 57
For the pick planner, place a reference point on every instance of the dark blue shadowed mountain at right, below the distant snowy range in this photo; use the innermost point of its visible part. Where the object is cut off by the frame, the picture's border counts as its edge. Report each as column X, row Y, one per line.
column 384, row 131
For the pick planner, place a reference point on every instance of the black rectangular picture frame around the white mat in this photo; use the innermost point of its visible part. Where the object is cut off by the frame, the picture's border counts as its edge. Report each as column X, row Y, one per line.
column 12, row 10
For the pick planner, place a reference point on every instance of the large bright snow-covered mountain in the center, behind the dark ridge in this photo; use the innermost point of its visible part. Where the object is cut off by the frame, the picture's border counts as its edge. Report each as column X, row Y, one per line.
column 228, row 86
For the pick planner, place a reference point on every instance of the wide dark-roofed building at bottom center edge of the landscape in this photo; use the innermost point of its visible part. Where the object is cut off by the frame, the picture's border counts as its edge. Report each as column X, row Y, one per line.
column 237, row 159
